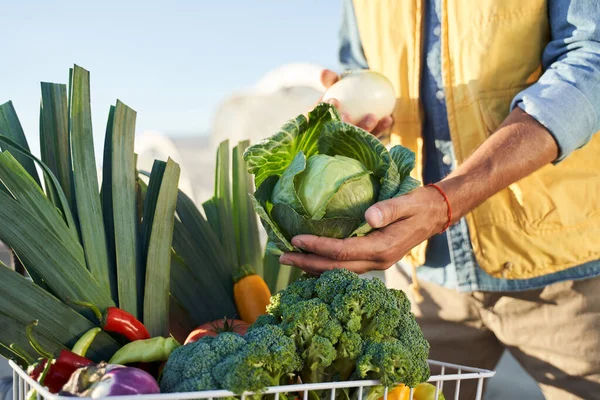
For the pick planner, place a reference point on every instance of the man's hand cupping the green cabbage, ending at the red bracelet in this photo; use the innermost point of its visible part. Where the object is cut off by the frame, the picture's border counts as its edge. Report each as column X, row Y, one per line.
column 404, row 222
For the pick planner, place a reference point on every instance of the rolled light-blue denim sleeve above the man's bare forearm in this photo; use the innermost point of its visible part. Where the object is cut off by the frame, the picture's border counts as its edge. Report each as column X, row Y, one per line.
column 566, row 98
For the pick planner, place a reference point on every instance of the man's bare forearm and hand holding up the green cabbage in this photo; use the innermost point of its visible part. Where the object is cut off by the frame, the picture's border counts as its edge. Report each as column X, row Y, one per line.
column 520, row 146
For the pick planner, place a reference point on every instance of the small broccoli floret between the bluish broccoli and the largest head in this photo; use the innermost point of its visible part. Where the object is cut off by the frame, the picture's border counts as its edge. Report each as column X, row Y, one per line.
column 268, row 359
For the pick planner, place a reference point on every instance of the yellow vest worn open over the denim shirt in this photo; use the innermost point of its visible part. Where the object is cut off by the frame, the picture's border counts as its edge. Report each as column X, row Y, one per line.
column 491, row 50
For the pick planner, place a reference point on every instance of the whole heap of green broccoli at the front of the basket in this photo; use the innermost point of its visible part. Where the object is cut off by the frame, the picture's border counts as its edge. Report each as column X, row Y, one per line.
column 335, row 327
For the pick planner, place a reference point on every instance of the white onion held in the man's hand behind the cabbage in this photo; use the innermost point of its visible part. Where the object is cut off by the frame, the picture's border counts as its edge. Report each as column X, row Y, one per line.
column 361, row 93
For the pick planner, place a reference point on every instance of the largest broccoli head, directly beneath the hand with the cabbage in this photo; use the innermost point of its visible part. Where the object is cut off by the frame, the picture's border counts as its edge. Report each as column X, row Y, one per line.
column 338, row 318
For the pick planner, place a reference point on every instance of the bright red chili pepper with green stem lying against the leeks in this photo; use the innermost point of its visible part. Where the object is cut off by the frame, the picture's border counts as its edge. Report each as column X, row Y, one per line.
column 118, row 321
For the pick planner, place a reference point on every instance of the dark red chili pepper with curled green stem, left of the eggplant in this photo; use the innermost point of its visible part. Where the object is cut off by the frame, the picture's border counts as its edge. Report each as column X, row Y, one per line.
column 60, row 369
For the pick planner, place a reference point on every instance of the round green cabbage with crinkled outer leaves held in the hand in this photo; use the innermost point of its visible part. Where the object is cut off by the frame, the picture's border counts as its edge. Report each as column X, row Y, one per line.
column 319, row 175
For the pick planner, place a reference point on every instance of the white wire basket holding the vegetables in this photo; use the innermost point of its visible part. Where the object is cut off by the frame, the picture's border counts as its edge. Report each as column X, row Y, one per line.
column 22, row 383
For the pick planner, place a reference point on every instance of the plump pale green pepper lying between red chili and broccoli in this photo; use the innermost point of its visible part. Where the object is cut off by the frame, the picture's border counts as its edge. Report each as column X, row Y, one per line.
column 148, row 350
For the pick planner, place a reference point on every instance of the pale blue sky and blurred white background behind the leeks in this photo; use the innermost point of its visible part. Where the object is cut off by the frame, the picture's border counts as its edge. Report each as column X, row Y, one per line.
column 197, row 72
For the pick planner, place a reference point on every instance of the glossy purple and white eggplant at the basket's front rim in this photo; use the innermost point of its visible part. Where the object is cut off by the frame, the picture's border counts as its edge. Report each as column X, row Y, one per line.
column 104, row 379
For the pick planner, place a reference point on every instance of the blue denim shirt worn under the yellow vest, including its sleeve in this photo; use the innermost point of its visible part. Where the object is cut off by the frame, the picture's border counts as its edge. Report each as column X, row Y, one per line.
column 566, row 100
